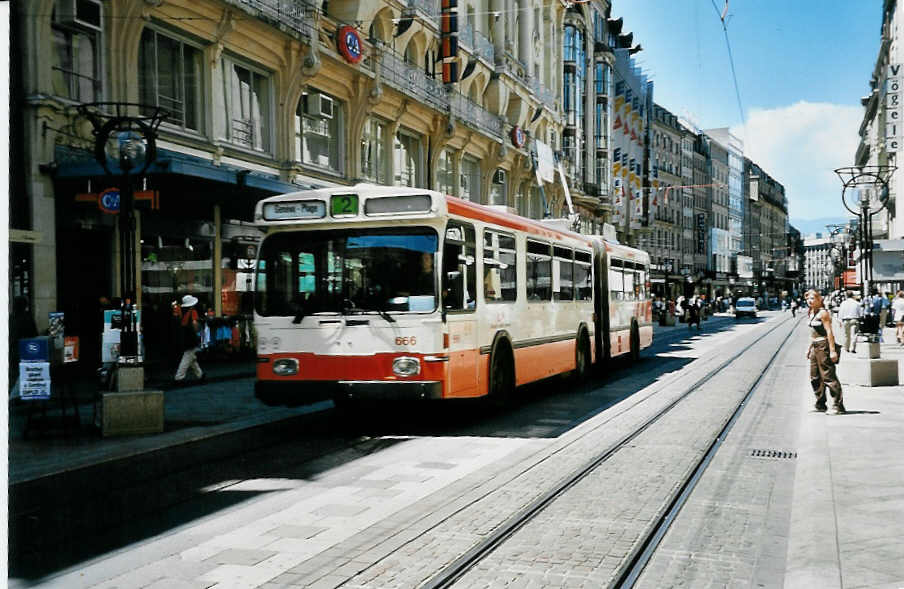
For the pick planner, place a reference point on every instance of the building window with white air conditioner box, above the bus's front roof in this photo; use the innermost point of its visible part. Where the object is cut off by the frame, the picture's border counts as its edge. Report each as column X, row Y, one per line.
column 318, row 131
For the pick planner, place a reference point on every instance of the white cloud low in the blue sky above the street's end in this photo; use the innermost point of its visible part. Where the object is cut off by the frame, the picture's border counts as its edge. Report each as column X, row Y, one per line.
column 800, row 146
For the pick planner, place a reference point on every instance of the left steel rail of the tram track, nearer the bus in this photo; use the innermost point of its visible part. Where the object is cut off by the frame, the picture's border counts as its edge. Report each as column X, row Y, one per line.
column 455, row 570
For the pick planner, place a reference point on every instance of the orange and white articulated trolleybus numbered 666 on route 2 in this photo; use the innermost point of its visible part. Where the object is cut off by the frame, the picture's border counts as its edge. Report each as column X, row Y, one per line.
column 373, row 292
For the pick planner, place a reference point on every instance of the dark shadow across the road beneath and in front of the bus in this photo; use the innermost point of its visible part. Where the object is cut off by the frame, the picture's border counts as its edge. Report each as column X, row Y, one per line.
column 57, row 522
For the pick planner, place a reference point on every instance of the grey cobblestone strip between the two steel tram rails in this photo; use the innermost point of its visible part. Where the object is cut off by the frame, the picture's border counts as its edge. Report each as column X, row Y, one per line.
column 598, row 524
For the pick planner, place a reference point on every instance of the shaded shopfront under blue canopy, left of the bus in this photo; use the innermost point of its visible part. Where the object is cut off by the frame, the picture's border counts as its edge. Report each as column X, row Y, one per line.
column 194, row 223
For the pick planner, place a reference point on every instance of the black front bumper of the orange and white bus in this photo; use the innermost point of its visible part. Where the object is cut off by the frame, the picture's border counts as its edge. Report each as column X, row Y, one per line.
column 301, row 392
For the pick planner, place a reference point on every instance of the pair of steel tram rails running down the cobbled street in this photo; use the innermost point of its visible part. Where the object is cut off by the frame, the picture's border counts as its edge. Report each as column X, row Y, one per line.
column 633, row 565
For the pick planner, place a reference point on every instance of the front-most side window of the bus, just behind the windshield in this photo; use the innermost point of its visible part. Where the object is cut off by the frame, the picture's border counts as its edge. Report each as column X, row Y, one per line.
column 459, row 268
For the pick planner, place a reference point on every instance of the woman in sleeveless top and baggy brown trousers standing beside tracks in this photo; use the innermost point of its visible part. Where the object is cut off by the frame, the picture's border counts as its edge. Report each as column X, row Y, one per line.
column 823, row 355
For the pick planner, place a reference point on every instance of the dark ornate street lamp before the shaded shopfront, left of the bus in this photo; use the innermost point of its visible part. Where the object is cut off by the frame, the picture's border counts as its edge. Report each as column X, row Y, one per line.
column 125, row 144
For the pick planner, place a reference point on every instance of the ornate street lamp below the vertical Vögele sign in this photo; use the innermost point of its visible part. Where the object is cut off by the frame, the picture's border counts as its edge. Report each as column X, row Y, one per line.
column 865, row 194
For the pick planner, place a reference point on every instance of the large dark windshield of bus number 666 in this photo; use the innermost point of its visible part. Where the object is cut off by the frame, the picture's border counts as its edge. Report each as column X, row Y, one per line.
column 347, row 271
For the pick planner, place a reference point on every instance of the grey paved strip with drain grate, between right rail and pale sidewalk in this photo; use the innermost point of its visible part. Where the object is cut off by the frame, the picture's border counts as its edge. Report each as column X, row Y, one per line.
column 733, row 530
